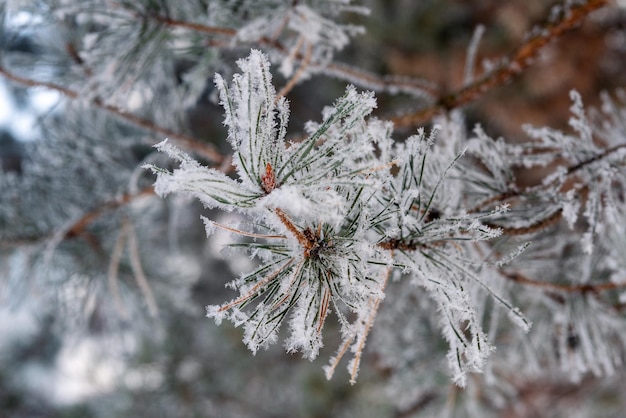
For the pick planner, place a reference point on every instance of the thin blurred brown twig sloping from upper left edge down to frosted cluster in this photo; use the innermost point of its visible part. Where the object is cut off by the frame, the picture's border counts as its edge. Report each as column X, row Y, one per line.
column 206, row 150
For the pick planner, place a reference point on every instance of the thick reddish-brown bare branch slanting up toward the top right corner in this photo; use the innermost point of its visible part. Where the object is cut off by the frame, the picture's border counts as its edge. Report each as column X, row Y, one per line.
column 518, row 61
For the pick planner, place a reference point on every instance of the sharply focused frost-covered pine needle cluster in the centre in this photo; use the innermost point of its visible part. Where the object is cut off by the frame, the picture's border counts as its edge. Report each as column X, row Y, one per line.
column 333, row 218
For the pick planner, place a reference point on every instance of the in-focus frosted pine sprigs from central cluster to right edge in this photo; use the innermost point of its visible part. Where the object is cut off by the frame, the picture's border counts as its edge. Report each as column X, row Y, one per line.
column 334, row 219
